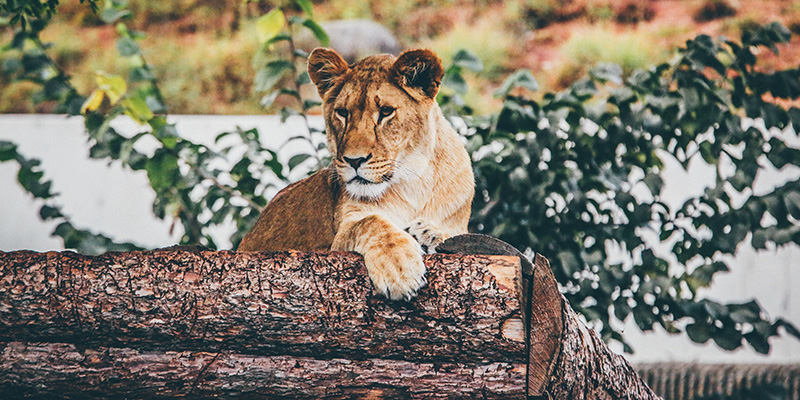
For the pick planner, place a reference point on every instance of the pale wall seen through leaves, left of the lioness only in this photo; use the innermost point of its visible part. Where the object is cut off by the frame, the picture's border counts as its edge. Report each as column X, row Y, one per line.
column 105, row 198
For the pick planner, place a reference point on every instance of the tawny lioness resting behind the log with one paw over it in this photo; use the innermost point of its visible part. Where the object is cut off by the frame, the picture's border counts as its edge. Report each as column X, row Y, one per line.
column 400, row 182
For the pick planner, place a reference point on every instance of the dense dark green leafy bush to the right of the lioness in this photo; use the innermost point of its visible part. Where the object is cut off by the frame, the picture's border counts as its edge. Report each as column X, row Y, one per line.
column 577, row 176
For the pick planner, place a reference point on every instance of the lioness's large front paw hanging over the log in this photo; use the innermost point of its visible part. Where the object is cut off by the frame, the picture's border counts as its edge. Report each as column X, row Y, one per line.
column 395, row 267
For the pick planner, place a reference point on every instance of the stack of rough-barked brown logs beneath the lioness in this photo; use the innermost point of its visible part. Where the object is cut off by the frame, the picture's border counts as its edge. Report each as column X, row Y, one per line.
column 291, row 325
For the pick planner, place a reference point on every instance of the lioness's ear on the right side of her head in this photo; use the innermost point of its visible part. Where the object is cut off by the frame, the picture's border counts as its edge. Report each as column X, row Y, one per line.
column 419, row 70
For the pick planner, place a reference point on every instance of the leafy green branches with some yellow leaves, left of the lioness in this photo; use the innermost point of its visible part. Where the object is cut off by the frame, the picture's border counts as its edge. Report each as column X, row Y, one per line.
column 191, row 187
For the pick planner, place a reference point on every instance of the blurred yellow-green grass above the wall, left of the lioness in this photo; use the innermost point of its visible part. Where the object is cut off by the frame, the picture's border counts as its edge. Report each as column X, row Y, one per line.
column 198, row 74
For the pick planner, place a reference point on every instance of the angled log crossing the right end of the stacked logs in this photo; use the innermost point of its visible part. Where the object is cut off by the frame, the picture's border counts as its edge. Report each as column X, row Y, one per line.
column 565, row 359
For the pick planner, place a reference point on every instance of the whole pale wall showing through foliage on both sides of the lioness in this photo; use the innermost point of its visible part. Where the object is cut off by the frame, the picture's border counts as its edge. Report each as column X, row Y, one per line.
column 117, row 202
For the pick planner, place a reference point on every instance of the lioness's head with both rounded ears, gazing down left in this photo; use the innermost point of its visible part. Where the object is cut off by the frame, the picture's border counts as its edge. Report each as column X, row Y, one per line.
column 379, row 116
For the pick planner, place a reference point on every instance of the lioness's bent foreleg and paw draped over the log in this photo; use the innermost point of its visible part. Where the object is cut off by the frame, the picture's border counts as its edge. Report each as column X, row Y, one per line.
column 393, row 258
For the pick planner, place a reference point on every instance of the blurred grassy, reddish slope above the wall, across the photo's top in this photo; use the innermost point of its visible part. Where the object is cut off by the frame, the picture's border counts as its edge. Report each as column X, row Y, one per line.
column 202, row 50
